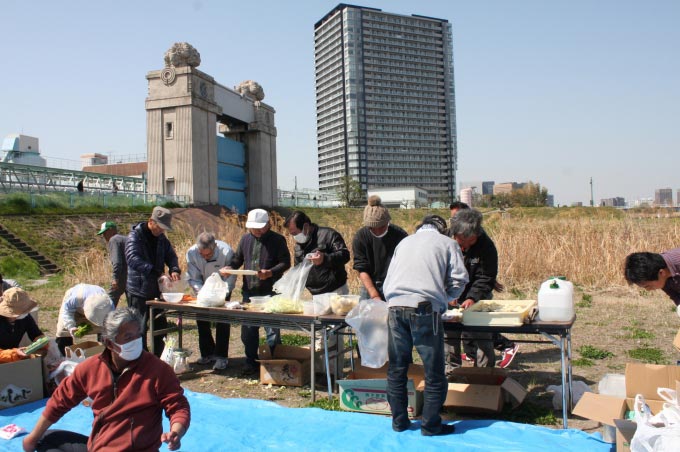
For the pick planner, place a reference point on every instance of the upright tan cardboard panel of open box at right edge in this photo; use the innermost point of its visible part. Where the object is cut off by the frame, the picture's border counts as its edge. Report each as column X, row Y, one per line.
column 645, row 379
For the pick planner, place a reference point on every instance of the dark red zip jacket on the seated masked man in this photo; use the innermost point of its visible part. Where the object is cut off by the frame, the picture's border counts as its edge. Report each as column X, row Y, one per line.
column 127, row 413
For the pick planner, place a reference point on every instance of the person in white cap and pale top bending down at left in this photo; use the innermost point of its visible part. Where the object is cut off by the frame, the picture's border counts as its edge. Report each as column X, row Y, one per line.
column 83, row 304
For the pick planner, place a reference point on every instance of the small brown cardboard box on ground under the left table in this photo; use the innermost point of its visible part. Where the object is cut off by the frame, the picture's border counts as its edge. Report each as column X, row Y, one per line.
column 289, row 366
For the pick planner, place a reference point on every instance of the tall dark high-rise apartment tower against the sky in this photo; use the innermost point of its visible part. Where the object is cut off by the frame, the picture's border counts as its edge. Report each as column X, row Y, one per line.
column 385, row 101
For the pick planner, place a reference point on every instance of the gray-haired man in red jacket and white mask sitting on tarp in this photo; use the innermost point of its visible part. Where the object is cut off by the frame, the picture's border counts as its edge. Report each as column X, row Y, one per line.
column 130, row 389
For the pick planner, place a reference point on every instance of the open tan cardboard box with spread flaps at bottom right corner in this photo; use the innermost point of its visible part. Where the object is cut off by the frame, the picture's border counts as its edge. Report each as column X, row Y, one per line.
column 642, row 379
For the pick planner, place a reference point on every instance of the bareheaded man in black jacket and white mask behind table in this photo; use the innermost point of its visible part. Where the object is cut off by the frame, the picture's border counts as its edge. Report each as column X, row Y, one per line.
column 326, row 248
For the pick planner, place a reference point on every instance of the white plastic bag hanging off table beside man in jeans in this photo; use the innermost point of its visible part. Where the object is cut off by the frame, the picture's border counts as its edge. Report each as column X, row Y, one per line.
column 369, row 320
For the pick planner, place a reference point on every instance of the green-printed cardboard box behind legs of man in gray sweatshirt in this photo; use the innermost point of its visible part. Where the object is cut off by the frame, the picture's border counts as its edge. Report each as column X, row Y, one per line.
column 365, row 390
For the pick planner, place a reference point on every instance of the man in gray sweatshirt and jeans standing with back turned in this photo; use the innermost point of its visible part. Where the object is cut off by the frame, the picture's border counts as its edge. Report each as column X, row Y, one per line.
column 426, row 273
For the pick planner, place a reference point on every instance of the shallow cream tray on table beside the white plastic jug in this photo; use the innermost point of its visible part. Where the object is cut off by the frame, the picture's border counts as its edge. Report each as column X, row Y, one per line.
column 498, row 312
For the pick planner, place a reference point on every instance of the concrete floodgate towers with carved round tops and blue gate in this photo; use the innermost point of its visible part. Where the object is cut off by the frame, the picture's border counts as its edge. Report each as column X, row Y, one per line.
column 186, row 108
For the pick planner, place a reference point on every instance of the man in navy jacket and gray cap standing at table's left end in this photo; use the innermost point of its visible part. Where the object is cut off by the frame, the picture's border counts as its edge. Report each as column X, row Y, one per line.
column 147, row 252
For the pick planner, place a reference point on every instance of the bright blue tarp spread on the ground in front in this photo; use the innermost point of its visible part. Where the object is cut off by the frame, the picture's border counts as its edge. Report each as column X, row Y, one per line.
column 246, row 424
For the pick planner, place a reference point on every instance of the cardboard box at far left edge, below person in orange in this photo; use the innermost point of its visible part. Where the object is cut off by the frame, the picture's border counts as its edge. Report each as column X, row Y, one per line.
column 21, row 382
